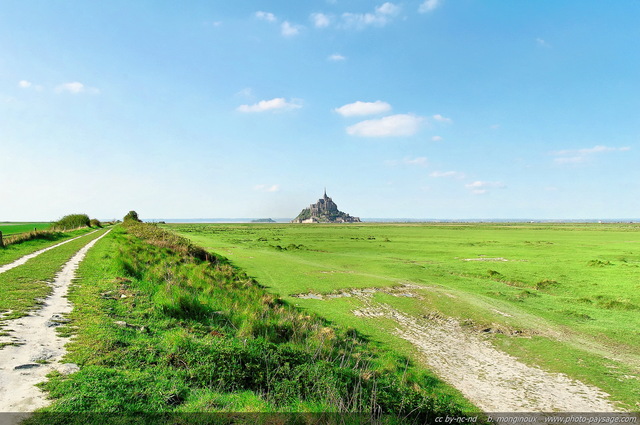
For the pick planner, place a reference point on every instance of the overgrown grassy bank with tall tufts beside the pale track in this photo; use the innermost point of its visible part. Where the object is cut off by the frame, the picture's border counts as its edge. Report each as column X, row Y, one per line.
column 162, row 326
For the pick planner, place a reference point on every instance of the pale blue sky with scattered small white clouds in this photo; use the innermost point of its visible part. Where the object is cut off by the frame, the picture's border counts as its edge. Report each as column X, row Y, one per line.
column 445, row 109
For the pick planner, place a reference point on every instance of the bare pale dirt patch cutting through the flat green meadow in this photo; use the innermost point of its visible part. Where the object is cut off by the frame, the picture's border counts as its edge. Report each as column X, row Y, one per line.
column 492, row 380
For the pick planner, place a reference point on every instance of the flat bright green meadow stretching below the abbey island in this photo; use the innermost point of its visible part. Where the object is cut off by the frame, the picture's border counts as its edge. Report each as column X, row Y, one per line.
column 564, row 297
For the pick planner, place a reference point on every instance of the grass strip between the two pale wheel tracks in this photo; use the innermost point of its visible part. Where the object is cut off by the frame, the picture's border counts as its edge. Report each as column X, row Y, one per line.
column 24, row 287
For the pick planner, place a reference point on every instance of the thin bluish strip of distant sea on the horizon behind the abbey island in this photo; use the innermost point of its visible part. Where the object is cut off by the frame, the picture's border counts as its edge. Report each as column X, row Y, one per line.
column 405, row 220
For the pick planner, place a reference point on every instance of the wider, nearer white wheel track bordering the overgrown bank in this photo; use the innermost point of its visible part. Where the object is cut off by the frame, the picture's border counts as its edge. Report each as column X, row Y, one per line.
column 23, row 366
